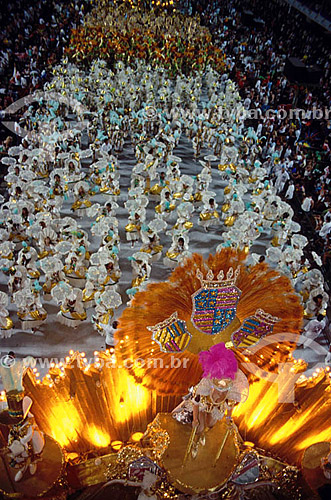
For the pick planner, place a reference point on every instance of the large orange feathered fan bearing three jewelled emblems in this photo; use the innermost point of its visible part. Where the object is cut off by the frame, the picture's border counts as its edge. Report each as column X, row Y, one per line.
column 204, row 302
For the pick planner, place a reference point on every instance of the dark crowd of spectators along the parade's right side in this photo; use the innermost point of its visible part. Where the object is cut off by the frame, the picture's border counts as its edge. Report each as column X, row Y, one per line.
column 294, row 145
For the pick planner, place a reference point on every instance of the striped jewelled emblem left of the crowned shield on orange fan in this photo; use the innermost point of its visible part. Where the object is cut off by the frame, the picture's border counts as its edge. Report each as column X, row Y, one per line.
column 171, row 335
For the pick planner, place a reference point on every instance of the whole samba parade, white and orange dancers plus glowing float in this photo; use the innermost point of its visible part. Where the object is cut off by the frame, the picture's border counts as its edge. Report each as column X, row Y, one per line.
column 139, row 207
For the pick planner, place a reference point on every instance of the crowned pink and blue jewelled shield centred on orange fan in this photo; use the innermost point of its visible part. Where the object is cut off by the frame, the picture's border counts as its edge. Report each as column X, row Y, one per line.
column 215, row 303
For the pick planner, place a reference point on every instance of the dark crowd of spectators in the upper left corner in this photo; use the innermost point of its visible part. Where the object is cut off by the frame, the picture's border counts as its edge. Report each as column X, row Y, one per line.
column 32, row 39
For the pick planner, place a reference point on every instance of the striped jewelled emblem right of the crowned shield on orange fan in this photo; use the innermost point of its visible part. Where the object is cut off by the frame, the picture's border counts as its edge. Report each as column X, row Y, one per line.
column 254, row 329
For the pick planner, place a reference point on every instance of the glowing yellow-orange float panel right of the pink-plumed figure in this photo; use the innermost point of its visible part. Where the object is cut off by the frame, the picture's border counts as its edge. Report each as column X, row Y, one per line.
column 286, row 429
